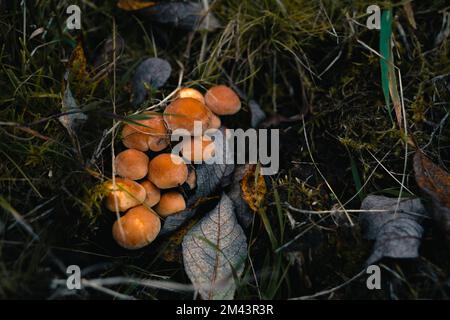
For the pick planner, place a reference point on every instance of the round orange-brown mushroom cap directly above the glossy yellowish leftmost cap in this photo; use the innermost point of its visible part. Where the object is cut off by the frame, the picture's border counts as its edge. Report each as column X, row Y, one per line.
column 132, row 164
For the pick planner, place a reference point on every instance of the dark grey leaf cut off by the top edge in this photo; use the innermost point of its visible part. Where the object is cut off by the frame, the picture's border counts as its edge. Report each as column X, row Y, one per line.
column 184, row 15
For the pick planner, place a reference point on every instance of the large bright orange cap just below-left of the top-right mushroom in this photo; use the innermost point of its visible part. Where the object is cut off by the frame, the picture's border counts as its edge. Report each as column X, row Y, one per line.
column 184, row 112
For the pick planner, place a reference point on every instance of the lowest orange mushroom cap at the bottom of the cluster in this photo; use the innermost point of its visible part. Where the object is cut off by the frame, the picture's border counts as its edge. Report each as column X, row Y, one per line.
column 137, row 228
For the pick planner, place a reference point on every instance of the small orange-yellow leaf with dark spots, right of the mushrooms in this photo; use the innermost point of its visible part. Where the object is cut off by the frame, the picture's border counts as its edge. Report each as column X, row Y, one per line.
column 254, row 188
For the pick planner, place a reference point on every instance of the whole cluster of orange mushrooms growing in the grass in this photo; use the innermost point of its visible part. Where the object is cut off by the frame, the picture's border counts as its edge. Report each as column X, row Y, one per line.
column 148, row 189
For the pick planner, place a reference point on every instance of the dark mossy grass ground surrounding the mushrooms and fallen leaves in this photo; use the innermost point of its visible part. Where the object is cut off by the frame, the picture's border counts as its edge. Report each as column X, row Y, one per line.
column 312, row 66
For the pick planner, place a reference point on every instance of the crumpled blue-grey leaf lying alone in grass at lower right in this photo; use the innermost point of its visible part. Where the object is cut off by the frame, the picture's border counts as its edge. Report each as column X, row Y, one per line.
column 396, row 230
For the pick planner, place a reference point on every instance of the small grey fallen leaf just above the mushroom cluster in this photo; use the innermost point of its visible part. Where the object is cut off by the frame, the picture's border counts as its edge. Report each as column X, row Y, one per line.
column 152, row 72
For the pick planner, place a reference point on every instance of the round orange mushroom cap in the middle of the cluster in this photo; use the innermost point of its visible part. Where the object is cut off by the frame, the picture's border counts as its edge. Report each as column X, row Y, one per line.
column 167, row 171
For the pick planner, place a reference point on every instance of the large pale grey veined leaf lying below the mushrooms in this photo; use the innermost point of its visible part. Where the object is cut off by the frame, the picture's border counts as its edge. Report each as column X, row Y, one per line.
column 214, row 252
